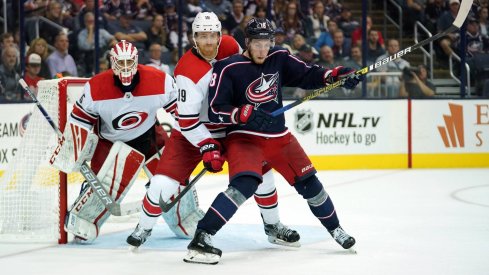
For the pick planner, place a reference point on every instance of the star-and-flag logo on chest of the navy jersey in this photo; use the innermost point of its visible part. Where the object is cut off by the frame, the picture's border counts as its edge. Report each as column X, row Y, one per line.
column 263, row 89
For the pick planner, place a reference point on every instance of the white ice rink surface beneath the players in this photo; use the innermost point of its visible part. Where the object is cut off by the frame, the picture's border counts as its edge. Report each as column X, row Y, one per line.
column 405, row 222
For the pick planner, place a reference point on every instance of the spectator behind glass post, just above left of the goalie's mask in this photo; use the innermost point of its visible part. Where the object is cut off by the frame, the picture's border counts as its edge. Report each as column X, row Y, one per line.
column 86, row 44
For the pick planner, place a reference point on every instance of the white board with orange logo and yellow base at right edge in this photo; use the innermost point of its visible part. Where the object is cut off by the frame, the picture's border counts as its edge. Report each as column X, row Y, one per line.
column 450, row 133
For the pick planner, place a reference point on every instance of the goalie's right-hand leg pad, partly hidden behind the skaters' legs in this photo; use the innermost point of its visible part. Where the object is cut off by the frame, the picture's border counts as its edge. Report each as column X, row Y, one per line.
column 182, row 219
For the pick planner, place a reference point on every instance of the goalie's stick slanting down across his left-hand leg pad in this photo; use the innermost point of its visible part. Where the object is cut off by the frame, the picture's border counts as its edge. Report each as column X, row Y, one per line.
column 113, row 207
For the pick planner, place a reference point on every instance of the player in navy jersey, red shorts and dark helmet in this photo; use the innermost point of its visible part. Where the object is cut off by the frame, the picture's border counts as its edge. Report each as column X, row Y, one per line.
column 245, row 89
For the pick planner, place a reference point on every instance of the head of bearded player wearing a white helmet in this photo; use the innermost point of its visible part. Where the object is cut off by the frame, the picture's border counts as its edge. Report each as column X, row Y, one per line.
column 207, row 22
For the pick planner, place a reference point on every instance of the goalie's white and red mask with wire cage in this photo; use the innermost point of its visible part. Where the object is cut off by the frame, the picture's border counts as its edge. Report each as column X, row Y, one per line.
column 124, row 61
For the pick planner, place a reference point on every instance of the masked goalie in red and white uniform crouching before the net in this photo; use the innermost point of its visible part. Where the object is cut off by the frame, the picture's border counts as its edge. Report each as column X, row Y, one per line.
column 113, row 125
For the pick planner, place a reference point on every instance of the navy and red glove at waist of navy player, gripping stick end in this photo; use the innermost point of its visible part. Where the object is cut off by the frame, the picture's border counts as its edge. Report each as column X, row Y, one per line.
column 256, row 119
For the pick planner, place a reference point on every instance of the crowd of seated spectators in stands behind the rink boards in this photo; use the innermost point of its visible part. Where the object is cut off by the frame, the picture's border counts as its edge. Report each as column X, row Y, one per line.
column 322, row 32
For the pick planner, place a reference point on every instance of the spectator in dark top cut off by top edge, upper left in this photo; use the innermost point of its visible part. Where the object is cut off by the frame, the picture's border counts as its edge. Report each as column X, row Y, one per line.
column 54, row 14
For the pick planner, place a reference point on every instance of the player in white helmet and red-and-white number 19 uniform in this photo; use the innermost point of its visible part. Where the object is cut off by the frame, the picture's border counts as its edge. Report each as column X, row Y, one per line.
column 194, row 139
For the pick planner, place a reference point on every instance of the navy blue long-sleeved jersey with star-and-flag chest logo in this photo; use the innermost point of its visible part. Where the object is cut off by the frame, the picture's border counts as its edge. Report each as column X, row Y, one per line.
column 237, row 81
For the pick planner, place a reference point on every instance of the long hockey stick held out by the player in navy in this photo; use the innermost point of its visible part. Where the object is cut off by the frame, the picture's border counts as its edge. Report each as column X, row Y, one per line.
column 463, row 11
